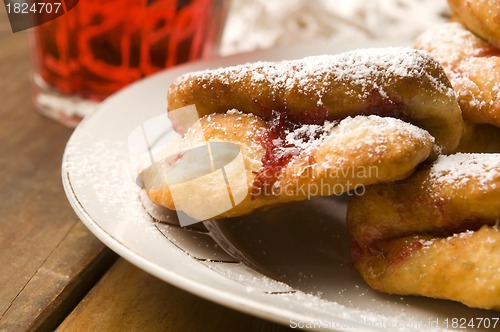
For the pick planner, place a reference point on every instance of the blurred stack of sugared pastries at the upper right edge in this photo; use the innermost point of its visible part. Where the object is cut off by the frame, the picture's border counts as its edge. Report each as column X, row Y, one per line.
column 468, row 48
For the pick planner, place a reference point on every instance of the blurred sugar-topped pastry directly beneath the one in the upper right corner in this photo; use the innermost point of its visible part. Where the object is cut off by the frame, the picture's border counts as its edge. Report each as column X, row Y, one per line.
column 473, row 67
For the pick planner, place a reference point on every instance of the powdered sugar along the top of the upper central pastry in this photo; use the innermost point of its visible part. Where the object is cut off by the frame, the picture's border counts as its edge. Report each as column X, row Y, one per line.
column 366, row 69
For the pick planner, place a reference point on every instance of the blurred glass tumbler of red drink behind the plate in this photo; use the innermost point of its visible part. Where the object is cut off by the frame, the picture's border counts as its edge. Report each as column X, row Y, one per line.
column 99, row 47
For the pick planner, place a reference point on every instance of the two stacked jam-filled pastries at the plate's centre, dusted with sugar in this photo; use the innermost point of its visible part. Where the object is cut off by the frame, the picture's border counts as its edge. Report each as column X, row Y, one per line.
column 306, row 127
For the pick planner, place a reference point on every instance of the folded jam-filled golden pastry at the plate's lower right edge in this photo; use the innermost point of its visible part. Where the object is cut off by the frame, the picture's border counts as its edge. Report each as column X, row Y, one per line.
column 434, row 234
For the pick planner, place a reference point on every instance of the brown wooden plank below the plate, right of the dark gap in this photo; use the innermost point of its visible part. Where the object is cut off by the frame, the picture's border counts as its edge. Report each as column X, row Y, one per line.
column 129, row 299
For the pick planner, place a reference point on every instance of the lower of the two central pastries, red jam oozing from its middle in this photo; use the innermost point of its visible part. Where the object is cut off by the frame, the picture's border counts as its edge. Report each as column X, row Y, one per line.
column 285, row 161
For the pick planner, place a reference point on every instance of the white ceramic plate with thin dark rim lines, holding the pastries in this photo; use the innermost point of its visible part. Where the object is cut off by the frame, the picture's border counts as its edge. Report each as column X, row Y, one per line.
column 302, row 249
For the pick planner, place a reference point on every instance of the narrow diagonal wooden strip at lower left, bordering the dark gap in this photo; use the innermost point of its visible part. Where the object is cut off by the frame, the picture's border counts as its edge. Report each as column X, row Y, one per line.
column 57, row 286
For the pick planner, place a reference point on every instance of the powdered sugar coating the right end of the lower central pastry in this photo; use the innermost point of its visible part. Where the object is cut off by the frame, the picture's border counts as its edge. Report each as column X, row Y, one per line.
column 361, row 138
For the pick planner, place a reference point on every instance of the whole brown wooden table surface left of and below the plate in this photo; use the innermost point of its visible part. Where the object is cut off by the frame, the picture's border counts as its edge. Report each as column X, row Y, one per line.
column 54, row 273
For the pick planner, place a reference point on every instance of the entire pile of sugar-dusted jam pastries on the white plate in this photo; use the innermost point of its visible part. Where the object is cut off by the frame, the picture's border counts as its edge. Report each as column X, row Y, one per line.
column 428, row 221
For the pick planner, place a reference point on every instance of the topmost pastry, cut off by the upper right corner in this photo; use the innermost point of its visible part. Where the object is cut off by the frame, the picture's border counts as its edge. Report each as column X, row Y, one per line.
column 479, row 16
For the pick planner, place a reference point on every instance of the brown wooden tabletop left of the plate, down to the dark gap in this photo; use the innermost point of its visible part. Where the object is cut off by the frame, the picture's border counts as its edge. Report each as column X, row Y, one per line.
column 44, row 250
